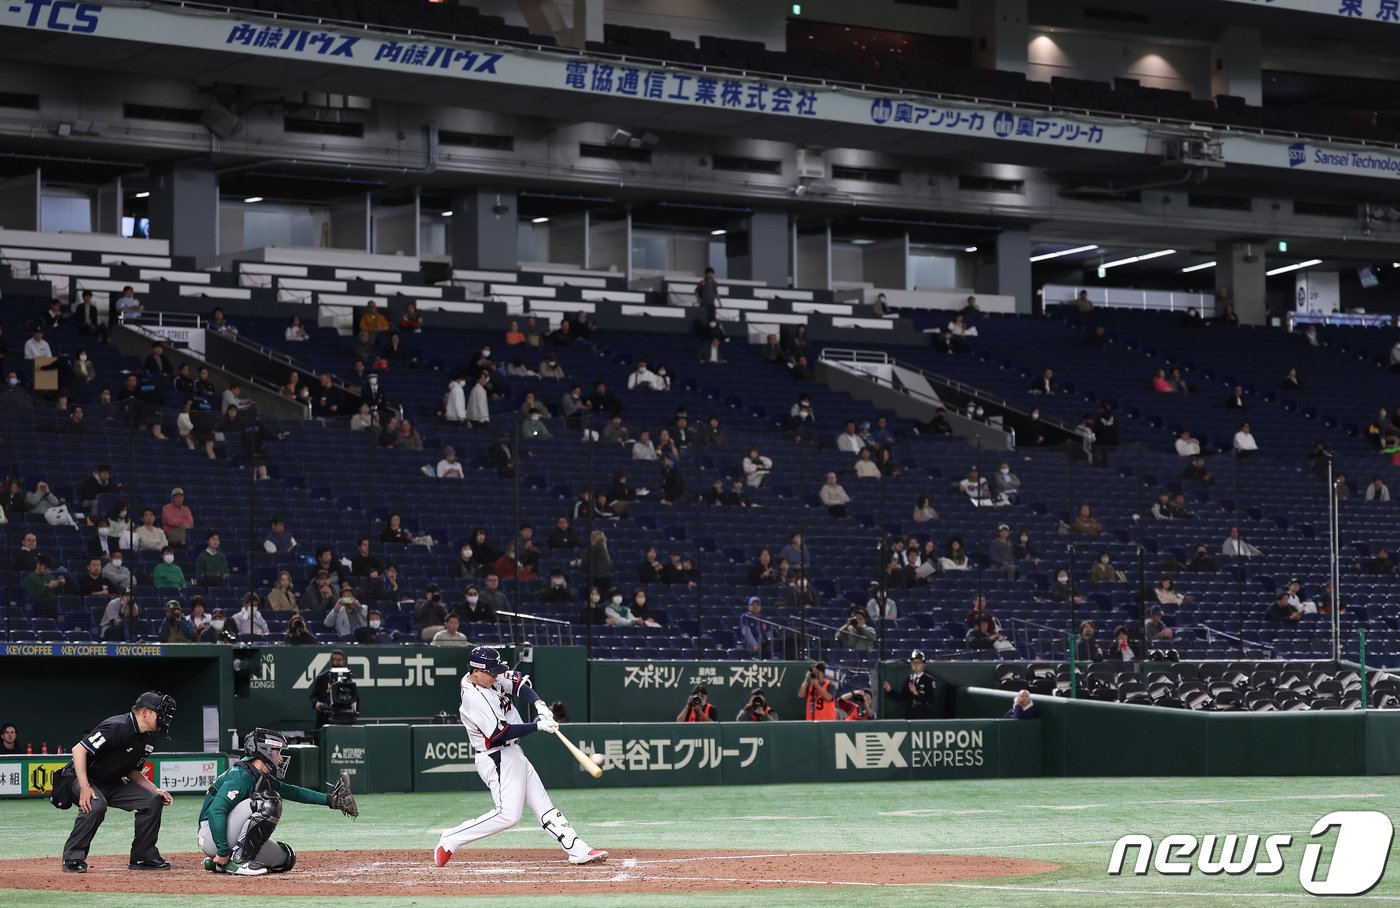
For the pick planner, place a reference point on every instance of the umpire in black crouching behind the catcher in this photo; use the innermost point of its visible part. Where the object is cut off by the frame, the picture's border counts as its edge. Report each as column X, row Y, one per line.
column 107, row 773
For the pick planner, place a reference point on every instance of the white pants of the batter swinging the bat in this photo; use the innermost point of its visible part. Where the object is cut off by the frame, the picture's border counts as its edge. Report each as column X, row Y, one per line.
column 514, row 786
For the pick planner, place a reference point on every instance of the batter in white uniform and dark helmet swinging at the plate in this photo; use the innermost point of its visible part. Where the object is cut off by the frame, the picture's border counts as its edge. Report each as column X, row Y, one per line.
column 495, row 728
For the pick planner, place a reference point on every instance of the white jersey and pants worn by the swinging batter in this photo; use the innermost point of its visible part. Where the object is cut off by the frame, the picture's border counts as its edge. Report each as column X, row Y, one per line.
column 488, row 713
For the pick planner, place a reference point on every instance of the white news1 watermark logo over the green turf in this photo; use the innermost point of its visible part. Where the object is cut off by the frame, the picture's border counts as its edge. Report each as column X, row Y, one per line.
column 1356, row 865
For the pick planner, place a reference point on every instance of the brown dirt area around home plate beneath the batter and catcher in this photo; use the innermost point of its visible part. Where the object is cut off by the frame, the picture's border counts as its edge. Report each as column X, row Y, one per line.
column 537, row 872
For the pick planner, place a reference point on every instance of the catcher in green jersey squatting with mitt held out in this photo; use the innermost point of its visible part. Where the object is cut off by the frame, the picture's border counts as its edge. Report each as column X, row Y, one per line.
column 243, row 807
